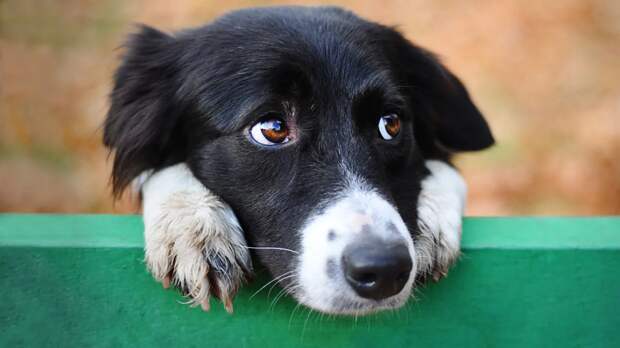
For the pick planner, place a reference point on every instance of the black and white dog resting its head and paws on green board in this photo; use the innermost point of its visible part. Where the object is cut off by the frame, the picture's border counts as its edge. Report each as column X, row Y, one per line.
column 318, row 140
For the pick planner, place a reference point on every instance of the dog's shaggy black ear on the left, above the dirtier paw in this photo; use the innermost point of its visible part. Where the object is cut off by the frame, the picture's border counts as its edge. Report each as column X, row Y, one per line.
column 143, row 113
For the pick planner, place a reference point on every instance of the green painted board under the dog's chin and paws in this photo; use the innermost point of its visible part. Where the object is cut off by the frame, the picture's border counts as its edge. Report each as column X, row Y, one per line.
column 78, row 281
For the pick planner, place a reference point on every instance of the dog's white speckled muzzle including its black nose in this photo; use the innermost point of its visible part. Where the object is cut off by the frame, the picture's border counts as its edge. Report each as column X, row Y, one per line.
column 356, row 257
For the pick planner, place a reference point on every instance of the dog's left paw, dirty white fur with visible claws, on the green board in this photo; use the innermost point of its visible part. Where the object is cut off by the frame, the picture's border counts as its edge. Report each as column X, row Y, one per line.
column 192, row 238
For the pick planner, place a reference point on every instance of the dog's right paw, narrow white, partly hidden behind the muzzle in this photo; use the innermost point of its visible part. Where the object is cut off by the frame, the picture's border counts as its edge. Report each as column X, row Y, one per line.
column 441, row 205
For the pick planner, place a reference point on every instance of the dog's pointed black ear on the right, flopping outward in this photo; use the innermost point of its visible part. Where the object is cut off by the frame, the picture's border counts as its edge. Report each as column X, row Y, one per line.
column 450, row 115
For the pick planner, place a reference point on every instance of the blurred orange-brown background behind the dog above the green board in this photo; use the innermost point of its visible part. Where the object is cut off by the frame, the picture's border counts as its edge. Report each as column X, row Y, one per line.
column 545, row 73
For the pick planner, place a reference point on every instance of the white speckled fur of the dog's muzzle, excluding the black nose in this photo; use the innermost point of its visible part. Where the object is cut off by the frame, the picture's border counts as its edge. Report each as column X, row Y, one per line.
column 325, row 237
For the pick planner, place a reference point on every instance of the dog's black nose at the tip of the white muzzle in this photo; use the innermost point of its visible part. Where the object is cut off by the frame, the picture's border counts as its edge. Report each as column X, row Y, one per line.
column 376, row 269
